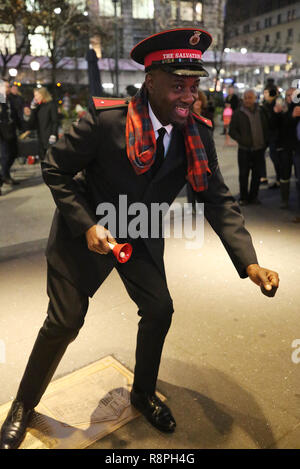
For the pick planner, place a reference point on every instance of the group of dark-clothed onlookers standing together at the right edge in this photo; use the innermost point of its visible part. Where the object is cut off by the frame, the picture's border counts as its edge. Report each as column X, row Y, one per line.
column 271, row 126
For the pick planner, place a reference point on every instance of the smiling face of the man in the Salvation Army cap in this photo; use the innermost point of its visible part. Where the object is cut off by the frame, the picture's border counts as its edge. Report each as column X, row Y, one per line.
column 171, row 96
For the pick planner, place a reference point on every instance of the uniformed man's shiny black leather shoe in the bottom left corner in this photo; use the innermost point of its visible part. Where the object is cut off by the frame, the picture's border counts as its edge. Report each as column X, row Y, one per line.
column 14, row 427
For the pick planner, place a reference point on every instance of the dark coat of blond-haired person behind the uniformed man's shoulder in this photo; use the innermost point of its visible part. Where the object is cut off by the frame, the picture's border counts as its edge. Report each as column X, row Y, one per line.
column 44, row 119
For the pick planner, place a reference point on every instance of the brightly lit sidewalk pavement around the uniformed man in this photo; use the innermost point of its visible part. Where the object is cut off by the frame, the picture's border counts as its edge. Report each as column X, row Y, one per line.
column 229, row 370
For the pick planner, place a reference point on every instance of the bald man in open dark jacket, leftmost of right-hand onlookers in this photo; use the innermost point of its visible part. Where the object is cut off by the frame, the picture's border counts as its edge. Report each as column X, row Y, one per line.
column 249, row 127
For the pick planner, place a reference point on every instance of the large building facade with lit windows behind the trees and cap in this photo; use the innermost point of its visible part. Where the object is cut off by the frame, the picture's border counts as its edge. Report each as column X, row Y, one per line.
column 124, row 23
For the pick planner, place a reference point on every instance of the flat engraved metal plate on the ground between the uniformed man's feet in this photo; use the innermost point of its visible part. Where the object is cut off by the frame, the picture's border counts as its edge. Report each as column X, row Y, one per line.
column 81, row 408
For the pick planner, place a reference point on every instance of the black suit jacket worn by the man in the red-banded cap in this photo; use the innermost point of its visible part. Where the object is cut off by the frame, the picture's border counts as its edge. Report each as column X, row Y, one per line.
column 97, row 146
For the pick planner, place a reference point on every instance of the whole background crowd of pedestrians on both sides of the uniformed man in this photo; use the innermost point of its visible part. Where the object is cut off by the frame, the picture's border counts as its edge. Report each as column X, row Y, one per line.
column 271, row 127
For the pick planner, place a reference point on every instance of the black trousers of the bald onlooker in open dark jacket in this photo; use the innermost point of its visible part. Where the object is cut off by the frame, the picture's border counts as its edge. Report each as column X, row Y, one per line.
column 250, row 161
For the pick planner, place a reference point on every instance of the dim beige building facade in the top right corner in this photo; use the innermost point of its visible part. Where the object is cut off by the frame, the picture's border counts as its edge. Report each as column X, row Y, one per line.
column 269, row 27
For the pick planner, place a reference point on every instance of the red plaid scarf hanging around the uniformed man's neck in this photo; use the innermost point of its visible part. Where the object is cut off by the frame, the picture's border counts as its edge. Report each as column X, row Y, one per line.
column 141, row 143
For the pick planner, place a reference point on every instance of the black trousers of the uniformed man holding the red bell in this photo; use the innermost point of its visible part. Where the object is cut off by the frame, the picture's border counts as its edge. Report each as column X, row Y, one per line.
column 67, row 308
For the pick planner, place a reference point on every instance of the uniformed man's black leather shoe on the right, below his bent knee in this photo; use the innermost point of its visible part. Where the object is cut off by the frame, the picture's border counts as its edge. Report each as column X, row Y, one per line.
column 155, row 411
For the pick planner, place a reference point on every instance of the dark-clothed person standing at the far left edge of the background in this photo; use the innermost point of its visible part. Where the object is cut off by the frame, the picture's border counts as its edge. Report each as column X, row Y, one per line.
column 9, row 122
